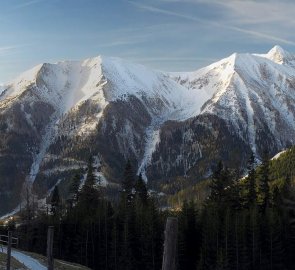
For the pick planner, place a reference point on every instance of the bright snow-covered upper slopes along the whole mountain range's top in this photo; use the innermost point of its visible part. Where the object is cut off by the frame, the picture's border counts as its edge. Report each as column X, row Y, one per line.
column 66, row 84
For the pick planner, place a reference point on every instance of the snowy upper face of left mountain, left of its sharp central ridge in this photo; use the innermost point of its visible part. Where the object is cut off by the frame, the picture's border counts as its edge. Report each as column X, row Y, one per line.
column 62, row 85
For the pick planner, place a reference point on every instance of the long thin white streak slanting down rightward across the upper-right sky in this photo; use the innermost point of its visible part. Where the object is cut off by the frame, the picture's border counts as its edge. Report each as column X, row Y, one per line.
column 217, row 24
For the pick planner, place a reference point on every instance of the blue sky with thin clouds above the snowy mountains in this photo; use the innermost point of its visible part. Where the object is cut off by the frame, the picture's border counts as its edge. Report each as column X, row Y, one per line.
column 169, row 35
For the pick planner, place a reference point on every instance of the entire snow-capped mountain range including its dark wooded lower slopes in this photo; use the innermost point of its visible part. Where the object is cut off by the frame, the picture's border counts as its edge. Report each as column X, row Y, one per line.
column 53, row 117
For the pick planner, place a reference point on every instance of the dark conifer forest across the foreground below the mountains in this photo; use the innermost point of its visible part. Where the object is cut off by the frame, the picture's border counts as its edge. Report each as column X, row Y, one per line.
column 245, row 223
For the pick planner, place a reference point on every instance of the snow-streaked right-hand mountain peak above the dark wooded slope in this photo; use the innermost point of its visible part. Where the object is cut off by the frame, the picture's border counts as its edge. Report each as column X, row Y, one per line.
column 251, row 92
